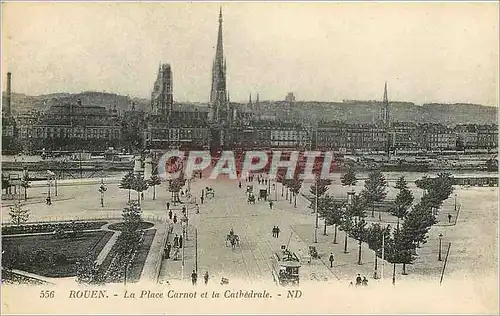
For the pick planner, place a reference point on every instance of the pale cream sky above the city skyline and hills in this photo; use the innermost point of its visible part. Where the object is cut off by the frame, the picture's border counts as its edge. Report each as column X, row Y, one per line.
column 323, row 51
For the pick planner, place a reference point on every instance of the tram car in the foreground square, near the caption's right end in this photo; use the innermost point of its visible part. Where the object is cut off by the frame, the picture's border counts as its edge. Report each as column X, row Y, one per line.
column 286, row 268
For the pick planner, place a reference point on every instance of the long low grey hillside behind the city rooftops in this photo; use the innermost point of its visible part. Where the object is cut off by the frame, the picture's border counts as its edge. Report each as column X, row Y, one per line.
column 348, row 111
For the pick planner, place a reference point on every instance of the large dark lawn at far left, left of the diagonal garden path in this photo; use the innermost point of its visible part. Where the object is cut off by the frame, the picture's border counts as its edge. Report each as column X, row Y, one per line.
column 85, row 244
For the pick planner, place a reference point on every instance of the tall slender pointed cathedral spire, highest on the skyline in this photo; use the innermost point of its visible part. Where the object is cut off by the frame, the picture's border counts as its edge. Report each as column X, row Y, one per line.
column 219, row 110
